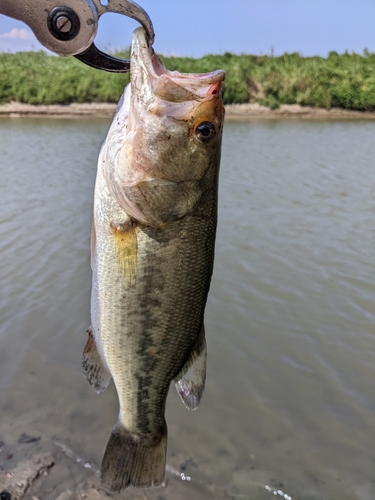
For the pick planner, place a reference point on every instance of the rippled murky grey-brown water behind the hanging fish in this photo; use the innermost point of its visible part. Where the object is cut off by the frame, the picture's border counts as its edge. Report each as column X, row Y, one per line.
column 290, row 395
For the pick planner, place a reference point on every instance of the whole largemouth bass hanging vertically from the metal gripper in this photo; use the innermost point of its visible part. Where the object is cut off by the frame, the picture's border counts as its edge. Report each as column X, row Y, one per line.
column 152, row 255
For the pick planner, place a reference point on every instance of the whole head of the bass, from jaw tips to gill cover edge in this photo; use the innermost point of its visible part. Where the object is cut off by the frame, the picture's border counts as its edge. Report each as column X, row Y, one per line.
column 167, row 135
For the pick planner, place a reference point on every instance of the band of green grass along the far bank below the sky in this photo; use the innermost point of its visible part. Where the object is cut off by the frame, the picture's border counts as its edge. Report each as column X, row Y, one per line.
column 342, row 81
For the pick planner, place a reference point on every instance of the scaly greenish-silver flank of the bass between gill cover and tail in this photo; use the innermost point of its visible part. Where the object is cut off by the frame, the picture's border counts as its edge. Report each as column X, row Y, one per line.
column 163, row 312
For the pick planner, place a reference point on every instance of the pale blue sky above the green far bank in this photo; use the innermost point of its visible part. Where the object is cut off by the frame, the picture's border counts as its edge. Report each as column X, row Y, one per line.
column 198, row 27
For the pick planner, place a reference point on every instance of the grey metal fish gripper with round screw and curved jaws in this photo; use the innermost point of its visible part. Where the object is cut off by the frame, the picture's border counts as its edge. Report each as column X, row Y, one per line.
column 69, row 27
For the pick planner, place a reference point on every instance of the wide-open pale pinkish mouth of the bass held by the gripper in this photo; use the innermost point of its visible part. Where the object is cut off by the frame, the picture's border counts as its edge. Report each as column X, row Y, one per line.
column 153, row 80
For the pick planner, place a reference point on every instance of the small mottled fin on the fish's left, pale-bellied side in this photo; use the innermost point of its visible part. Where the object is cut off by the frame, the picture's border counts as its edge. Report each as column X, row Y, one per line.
column 97, row 375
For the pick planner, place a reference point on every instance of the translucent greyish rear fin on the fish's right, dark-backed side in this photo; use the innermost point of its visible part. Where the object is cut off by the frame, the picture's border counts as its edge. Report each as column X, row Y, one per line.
column 190, row 381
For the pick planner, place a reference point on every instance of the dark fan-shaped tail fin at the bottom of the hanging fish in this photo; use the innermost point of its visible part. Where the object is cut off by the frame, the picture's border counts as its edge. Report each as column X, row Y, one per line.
column 130, row 460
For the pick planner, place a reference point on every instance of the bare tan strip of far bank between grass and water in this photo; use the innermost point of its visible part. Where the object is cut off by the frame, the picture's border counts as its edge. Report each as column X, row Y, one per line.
column 250, row 111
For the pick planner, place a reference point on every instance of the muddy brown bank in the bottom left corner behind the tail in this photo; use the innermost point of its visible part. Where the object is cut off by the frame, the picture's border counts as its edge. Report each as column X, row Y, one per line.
column 48, row 465
